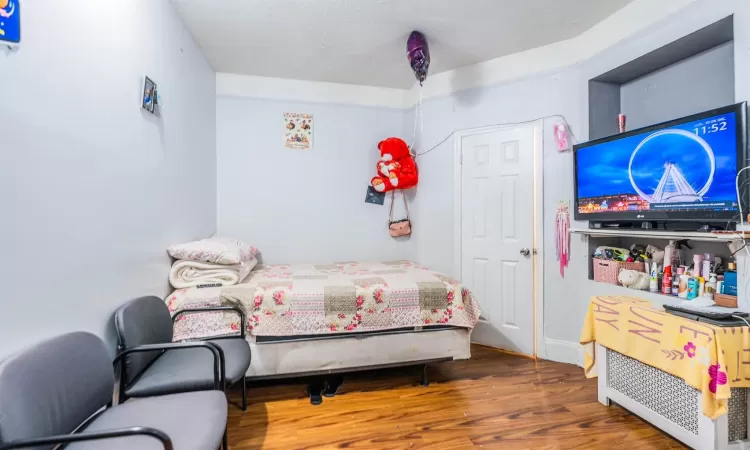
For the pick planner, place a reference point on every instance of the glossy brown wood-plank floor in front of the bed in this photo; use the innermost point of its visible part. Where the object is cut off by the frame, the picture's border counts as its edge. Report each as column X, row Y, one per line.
column 493, row 401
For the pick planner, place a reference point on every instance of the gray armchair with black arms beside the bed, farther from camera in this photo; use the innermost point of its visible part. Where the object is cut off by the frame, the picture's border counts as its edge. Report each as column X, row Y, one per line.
column 145, row 321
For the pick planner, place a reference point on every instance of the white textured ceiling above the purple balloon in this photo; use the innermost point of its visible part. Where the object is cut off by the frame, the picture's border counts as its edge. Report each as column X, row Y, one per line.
column 364, row 41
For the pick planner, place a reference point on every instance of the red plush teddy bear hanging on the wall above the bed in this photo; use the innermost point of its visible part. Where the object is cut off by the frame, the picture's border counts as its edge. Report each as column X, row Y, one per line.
column 396, row 167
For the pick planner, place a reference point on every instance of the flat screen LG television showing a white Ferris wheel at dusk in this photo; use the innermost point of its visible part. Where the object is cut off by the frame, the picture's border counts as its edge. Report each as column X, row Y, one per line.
column 683, row 170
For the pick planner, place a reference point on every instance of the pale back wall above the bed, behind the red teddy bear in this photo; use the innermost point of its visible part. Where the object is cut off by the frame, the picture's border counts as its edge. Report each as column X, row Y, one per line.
column 305, row 206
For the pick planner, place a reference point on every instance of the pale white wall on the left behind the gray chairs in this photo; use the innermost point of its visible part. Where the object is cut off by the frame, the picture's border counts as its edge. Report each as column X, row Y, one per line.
column 93, row 189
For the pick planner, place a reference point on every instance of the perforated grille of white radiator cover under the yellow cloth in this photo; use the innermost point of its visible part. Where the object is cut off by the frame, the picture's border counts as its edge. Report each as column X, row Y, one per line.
column 669, row 396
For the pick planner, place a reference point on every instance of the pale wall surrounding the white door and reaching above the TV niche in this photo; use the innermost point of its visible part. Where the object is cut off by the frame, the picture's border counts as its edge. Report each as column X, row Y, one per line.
column 557, row 91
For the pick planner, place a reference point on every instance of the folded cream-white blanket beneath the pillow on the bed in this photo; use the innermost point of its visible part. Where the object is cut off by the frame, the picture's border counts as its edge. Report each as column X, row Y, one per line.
column 185, row 274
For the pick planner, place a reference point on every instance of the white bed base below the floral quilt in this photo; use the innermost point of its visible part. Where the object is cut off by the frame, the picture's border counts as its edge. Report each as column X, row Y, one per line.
column 327, row 354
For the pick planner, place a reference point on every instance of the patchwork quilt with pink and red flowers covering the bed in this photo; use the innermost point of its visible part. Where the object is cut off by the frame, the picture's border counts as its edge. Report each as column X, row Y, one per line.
column 288, row 300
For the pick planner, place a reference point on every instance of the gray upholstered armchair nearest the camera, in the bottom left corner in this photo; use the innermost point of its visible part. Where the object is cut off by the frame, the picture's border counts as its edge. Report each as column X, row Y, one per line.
column 60, row 392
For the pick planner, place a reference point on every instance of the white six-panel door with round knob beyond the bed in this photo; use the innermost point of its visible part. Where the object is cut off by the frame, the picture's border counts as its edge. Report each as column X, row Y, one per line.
column 497, row 234
